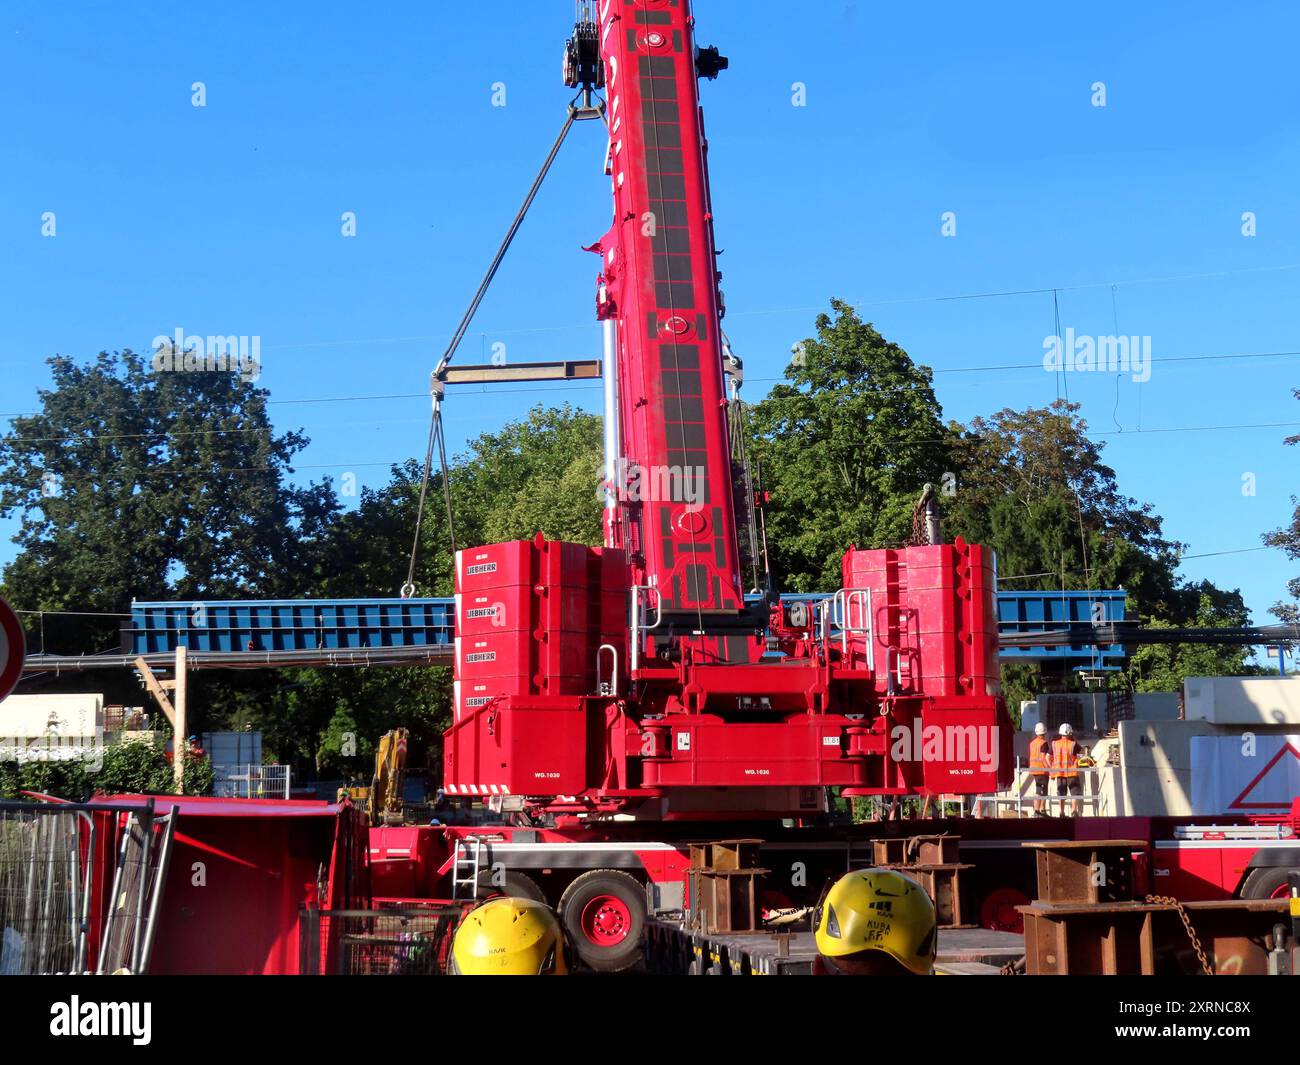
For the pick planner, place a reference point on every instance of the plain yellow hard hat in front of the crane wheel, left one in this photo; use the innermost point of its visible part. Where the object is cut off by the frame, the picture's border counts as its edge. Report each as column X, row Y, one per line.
column 509, row 938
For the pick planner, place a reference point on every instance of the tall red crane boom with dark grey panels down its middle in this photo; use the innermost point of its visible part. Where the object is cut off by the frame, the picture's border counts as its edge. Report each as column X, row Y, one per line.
column 660, row 283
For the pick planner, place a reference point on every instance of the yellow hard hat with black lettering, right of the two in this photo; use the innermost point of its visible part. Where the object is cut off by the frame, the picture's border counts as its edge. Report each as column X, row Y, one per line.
column 873, row 914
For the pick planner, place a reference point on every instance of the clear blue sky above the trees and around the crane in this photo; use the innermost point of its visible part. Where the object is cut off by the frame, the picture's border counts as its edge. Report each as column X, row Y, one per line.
column 226, row 219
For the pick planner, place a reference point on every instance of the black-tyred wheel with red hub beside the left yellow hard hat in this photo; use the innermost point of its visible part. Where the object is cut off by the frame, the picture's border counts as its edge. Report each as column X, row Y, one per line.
column 604, row 915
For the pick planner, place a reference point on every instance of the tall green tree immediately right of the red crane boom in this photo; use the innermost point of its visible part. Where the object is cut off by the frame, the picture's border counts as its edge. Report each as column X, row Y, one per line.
column 846, row 444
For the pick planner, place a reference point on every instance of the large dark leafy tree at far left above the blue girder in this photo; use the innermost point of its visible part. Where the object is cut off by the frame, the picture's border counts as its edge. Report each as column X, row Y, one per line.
column 140, row 484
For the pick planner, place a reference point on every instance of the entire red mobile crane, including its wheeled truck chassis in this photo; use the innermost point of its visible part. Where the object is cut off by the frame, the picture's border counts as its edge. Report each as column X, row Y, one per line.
column 639, row 678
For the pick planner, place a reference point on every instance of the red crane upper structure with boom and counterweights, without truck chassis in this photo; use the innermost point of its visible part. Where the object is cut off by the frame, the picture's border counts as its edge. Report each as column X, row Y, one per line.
column 636, row 677
